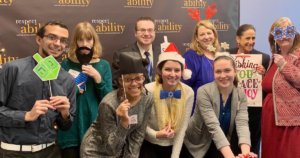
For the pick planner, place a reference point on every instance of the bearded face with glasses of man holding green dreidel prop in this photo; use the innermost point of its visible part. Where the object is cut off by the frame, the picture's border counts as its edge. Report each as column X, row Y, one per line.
column 53, row 42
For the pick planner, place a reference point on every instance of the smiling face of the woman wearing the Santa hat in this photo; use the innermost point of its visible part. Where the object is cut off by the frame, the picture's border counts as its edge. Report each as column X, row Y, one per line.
column 170, row 74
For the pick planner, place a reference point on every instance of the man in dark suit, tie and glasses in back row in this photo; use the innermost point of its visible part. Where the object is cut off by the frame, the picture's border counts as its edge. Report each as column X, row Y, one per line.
column 145, row 35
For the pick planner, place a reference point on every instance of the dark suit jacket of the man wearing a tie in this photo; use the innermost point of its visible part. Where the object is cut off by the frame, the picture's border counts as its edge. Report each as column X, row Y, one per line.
column 133, row 48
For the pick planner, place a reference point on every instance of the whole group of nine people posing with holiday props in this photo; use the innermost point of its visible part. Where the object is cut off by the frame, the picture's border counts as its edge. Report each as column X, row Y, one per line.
column 163, row 104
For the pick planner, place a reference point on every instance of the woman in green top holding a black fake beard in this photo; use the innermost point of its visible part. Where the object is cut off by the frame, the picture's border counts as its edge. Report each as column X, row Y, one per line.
column 94, row 80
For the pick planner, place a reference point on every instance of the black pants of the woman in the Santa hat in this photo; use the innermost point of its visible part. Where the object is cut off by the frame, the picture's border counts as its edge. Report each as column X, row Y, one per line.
column 149, row 150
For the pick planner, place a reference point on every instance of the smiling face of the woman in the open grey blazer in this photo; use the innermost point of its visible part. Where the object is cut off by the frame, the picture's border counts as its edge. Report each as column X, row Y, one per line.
column 224, row 73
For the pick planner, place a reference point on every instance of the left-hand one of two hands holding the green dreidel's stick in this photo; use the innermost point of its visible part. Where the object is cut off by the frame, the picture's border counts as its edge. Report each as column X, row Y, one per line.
column 40, row 107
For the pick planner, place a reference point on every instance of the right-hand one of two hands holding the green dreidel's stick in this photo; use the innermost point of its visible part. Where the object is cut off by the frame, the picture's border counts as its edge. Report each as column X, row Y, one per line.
column 61, row 104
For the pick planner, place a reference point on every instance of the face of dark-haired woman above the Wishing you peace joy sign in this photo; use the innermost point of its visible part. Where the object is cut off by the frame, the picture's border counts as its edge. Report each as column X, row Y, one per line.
column 246, row 41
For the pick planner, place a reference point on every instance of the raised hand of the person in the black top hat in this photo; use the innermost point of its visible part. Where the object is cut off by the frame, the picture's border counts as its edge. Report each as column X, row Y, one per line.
column 122, row 112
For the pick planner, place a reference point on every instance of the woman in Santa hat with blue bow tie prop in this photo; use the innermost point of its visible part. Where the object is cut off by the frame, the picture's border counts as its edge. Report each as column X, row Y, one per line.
column 173, row 101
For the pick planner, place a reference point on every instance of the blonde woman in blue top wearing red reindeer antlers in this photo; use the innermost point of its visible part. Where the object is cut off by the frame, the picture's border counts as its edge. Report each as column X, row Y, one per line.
column 199, row 59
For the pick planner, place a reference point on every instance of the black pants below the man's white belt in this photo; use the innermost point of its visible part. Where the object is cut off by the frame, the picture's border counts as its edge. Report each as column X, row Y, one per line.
column 49, row 152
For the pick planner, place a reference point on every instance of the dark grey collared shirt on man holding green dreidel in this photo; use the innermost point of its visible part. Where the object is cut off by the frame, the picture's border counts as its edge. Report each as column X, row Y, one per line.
column 20, row 89
